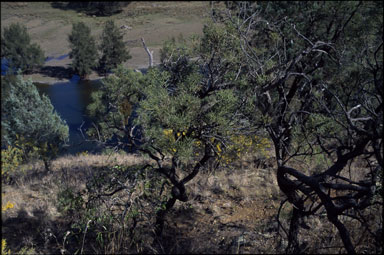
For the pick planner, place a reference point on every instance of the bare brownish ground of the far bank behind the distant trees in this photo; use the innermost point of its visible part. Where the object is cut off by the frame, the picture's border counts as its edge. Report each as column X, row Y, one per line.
column 49, row 25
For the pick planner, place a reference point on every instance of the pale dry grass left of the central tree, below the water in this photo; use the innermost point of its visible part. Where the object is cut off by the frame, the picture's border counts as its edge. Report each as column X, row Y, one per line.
column 35, row 193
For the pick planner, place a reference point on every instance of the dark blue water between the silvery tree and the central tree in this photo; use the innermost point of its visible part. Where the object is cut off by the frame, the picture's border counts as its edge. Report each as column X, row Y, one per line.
column 70, row 100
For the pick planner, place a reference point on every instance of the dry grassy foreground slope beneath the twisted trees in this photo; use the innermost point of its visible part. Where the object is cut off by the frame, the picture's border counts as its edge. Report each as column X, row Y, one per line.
column 231, row 210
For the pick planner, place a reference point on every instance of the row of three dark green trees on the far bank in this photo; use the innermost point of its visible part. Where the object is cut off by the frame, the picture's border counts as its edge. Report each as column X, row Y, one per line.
column 21, row 54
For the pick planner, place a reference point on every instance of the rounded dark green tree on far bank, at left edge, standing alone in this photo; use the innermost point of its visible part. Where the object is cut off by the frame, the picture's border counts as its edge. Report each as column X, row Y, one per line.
column 17, row 48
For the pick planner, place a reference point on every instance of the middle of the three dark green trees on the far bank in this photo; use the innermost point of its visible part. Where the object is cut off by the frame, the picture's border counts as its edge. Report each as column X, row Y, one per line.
column 83, row 50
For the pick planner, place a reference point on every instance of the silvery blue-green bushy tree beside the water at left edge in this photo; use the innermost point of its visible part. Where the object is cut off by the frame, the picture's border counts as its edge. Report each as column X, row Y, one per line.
column 29, row 121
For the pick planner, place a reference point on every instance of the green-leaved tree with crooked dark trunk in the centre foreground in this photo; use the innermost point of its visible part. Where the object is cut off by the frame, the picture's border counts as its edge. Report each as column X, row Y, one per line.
column 182, row 118
